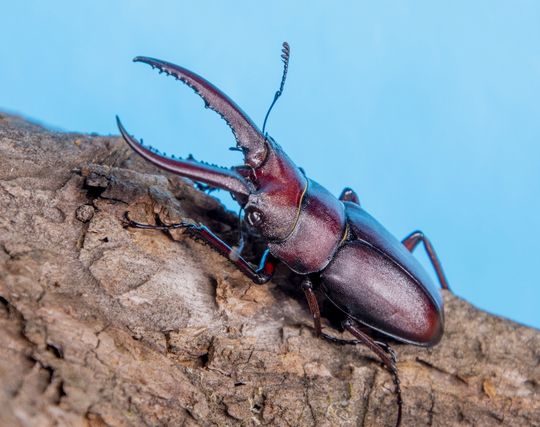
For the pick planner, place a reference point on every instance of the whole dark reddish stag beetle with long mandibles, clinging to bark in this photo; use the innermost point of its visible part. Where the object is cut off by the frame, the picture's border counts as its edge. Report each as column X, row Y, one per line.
column 332, row 243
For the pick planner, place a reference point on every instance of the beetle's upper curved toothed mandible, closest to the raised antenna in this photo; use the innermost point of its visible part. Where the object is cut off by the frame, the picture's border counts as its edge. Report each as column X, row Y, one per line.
column 248, row 136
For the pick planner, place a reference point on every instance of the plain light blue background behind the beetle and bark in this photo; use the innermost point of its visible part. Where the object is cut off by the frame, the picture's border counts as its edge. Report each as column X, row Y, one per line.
column 430, row 112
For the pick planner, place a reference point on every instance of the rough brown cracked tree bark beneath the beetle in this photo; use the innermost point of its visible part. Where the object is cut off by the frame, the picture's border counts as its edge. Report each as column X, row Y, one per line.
column 106, row 326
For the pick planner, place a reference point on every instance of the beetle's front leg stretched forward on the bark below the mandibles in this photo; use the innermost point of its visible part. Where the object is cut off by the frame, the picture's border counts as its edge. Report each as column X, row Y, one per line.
column 261, row 274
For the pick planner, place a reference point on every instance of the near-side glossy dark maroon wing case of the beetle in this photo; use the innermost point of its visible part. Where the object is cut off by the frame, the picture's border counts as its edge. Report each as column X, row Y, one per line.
column 370, row 287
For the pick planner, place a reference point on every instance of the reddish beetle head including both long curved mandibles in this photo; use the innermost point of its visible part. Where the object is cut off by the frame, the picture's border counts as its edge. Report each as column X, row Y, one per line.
column 269, row 186
